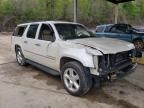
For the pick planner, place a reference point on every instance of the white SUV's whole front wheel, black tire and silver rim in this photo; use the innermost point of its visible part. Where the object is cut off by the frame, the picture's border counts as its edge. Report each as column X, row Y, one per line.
column 77, row 79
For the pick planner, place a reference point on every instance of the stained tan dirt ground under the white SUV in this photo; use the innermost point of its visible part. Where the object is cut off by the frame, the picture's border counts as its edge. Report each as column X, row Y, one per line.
column 29, row 87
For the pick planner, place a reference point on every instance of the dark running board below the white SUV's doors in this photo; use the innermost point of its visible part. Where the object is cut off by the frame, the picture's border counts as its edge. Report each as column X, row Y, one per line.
column 44, row 68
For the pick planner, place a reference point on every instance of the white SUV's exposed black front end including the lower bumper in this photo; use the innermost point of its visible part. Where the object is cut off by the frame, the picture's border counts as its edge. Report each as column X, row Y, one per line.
column 119, row 64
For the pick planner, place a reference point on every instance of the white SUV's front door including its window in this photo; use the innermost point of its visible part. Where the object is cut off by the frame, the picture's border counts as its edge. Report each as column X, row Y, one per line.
column 46, row 46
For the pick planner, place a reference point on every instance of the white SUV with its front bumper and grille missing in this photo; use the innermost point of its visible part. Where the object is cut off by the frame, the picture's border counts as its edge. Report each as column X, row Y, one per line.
column 70, row 50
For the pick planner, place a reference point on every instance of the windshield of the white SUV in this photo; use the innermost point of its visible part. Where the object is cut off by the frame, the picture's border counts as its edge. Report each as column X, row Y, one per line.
column 73, row 31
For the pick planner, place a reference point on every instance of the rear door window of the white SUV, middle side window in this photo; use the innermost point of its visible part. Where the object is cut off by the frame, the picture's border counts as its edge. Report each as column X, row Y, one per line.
column 32, row 31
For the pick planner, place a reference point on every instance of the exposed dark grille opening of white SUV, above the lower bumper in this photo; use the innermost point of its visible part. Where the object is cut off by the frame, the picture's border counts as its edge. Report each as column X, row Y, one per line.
column 111, row 62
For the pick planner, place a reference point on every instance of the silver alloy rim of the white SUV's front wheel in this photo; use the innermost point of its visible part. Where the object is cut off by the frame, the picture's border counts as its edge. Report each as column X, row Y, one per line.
column 71, row 79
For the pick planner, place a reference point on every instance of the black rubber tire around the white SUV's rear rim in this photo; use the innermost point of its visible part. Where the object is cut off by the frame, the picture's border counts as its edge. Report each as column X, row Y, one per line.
column 23, row 60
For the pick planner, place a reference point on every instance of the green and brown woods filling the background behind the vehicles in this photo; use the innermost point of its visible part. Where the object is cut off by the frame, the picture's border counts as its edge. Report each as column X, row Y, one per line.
column 89, row 11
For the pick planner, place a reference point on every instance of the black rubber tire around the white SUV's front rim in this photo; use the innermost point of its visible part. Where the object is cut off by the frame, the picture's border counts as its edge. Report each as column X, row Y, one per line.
column 85, row 78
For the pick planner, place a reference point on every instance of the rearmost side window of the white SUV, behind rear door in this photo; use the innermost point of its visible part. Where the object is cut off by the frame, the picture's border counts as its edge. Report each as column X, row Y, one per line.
column 19, row 31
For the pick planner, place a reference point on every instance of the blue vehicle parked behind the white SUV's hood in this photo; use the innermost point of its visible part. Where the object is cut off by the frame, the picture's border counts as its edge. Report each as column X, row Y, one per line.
column 122, row 31
